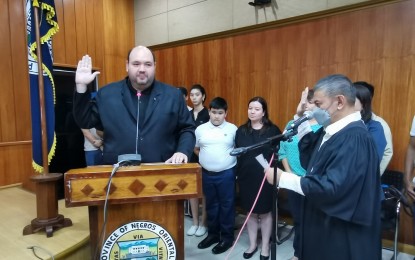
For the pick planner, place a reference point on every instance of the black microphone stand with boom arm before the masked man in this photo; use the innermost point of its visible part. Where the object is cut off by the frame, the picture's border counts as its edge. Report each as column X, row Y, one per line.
column 287, row 136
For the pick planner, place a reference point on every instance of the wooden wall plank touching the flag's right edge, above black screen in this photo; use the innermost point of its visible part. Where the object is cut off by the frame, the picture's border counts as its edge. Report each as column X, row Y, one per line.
column 59, row 43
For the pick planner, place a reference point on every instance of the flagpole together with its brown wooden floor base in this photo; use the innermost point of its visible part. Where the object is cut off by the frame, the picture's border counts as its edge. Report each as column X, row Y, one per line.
column 48, row 217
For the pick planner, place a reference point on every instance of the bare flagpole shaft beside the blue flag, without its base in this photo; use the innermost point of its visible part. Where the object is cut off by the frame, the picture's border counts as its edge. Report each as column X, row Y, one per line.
column 45, row 161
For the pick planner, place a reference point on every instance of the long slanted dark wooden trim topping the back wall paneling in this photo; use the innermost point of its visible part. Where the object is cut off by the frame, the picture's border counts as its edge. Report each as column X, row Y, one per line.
column 276, row 24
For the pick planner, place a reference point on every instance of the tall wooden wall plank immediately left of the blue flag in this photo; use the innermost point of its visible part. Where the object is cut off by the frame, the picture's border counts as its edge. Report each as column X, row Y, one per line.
column 21, row 93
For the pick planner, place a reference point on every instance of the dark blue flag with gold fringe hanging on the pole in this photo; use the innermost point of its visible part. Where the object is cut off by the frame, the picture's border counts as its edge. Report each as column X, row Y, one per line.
column 48, row 26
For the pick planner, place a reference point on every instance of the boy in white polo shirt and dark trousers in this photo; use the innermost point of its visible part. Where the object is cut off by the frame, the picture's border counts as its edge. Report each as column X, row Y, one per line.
column 214, row 141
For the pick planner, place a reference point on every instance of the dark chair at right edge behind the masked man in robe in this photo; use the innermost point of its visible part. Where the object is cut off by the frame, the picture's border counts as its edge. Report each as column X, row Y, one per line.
column 393, row 188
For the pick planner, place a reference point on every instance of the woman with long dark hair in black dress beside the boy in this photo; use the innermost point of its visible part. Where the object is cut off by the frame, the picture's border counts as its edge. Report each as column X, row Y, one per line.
column 250, row 174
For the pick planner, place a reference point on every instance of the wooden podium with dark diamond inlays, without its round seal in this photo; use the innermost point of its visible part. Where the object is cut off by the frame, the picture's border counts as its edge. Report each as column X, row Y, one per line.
column 149, row 192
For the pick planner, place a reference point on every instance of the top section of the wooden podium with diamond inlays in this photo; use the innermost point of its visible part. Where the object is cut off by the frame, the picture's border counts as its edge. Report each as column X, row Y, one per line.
column 146, row 183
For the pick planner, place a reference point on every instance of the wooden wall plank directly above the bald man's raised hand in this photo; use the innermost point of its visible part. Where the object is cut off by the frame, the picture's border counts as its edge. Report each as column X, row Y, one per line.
column 81, row 26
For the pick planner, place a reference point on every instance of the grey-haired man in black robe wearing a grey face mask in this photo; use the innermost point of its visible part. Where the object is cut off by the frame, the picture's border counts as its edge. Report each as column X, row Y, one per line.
column 341, row 202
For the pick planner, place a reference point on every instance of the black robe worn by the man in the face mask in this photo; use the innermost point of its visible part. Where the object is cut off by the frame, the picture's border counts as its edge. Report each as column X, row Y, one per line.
column 341, row 216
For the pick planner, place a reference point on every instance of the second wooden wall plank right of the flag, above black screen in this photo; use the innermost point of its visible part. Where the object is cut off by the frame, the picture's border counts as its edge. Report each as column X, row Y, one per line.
column 70, row 32
